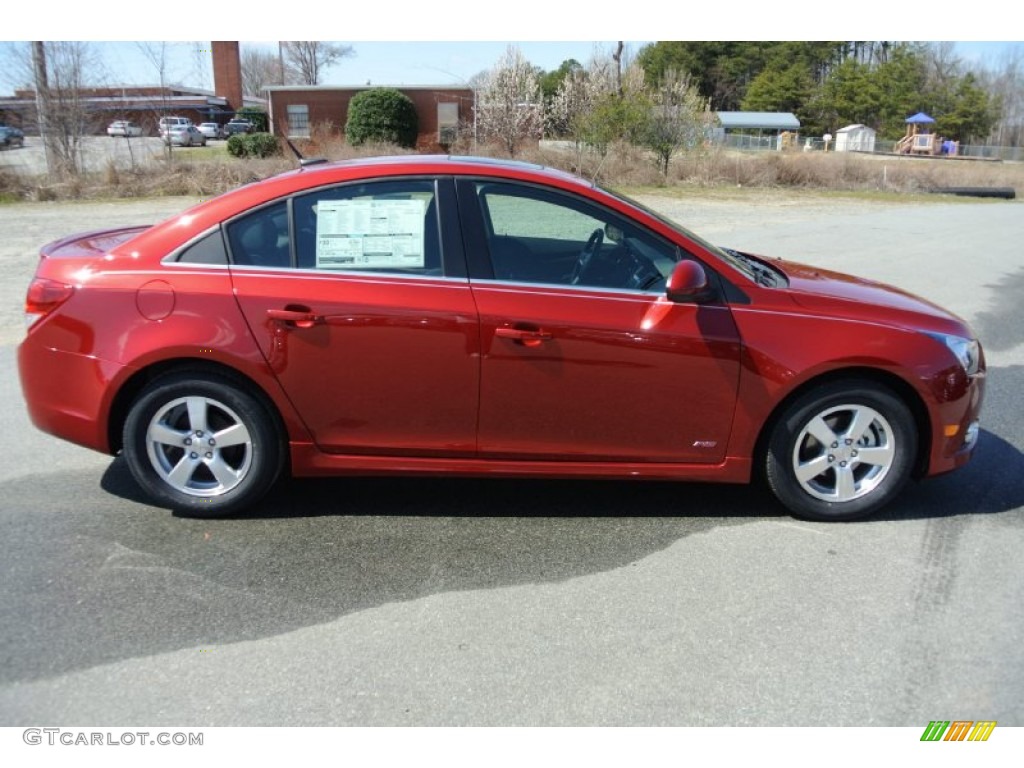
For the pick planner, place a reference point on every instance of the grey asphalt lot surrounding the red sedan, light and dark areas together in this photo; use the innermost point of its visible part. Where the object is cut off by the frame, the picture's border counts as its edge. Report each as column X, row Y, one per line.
column 474, row 603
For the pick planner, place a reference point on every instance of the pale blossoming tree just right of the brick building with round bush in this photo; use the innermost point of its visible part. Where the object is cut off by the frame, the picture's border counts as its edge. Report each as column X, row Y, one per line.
column 510, row 106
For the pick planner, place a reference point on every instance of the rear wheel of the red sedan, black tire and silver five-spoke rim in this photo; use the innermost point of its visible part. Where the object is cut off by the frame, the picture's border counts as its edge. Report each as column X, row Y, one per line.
column 173, row 449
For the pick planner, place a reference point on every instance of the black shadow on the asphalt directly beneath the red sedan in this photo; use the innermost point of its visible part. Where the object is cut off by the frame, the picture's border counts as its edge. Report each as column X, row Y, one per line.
column 992, row 483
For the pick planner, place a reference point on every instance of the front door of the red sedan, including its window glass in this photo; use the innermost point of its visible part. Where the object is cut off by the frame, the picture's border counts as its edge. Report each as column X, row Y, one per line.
column 584, row 358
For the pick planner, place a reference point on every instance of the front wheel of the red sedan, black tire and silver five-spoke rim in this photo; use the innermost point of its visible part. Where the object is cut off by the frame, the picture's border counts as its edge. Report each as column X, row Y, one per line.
column 833, row 429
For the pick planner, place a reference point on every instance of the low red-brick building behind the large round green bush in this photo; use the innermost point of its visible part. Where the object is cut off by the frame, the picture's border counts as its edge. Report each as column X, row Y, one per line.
column 441, row 109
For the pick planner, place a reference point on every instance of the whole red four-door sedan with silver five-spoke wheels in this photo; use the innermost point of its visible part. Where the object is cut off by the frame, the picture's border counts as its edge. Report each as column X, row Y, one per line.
column 464, row 317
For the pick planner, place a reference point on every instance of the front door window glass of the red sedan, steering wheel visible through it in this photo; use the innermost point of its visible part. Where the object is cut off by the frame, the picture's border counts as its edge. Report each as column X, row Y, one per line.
column 537, row 236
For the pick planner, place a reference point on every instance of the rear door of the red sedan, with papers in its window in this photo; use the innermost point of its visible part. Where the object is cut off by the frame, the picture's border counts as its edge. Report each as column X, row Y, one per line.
column 359, row 297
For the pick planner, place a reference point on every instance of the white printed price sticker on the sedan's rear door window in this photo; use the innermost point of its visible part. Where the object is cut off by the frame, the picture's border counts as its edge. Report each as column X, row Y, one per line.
column 369, row 234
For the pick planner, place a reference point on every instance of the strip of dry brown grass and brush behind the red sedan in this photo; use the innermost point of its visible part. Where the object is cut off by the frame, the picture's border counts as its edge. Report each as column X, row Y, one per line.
column 210, row 170
